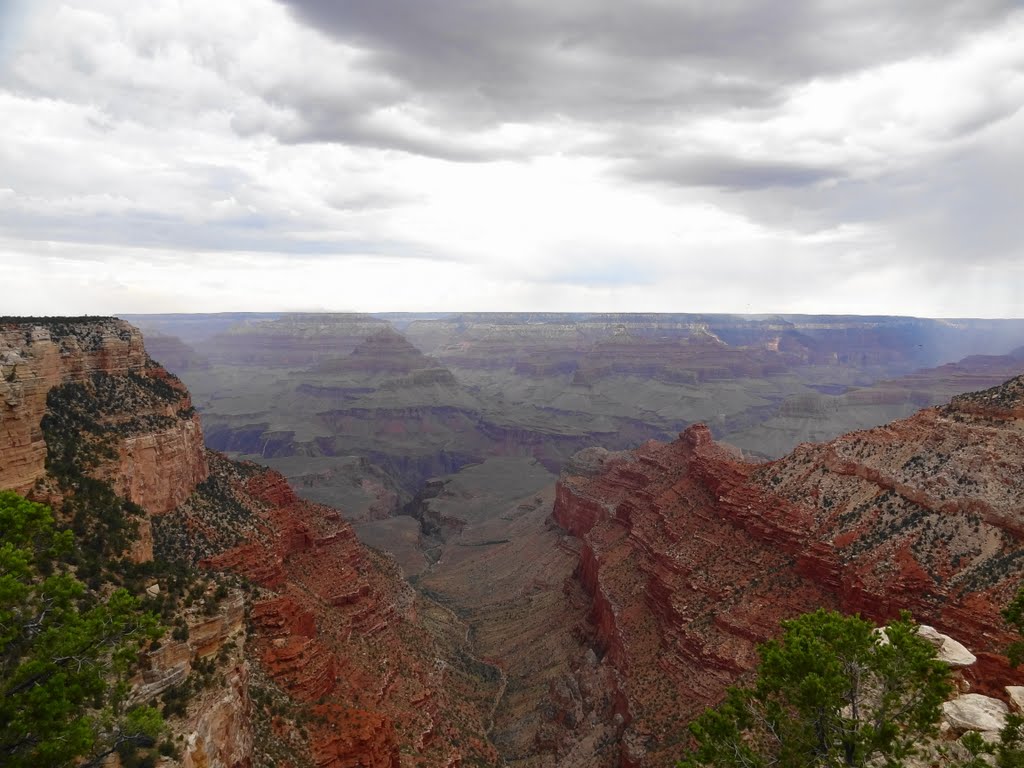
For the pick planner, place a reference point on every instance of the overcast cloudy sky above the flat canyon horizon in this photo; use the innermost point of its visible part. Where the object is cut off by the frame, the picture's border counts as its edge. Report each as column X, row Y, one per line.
column 841, row 156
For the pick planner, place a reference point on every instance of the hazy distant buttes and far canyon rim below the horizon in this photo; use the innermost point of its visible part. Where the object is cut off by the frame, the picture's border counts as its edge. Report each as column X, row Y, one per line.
column 315, row 396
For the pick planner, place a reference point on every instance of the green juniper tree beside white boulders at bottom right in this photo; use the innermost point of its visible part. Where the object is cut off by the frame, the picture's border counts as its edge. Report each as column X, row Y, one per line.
column 832, row 692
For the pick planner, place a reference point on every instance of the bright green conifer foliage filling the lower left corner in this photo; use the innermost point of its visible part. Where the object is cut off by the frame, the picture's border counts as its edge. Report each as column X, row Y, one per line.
column 66, row 651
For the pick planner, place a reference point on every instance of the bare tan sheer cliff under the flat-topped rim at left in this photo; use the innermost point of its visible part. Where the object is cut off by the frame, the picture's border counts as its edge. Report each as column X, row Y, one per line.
column 155, row 455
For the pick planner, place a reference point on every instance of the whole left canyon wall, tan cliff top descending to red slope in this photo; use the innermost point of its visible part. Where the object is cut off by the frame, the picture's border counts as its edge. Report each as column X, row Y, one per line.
column 334, row 625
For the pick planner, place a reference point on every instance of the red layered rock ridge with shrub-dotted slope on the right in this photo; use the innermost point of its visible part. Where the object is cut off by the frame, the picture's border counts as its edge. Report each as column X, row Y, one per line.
column 693, row 557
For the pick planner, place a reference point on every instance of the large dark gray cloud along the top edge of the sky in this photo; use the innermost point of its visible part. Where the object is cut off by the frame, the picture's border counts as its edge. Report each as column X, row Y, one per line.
column 525, row 60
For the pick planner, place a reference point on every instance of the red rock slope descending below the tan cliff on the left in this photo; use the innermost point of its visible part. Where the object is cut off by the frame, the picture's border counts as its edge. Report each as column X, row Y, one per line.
column 336, row 628
